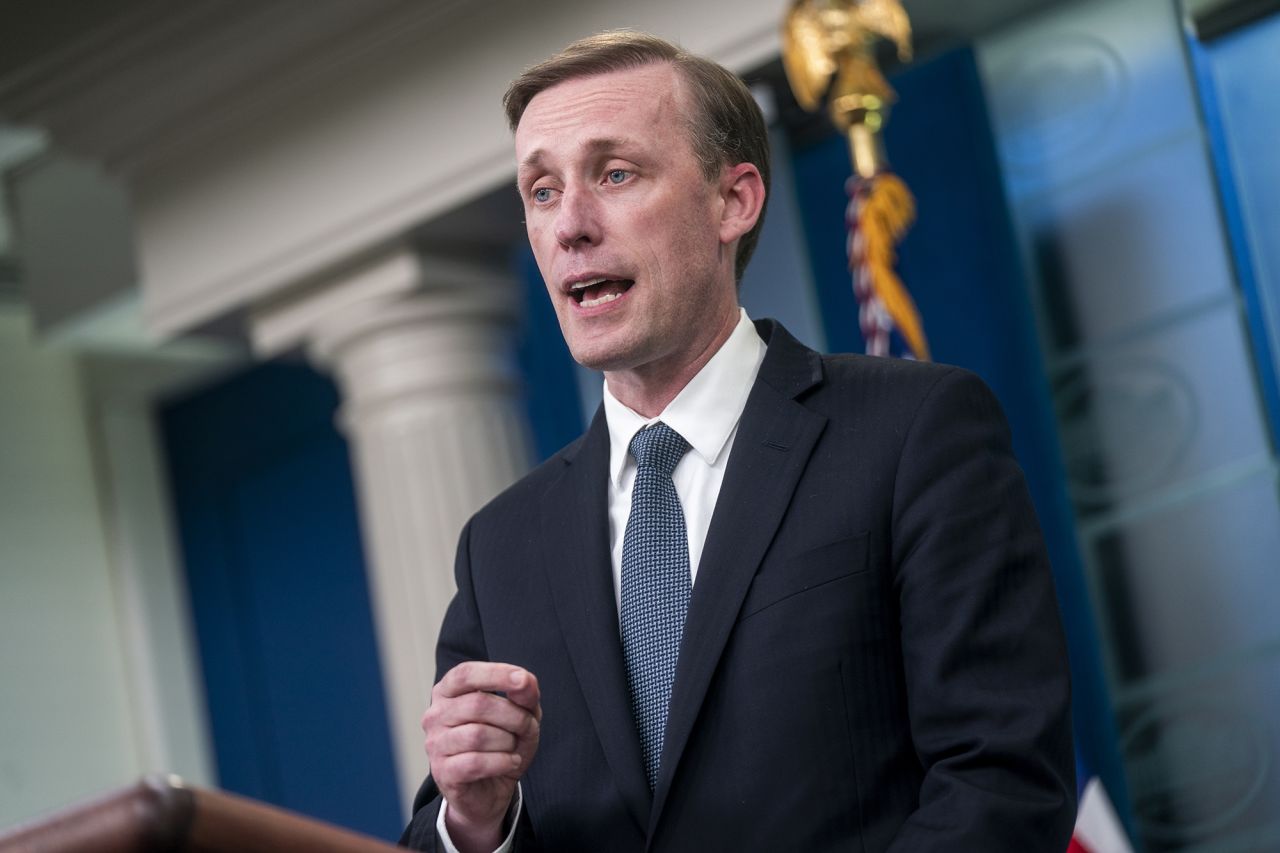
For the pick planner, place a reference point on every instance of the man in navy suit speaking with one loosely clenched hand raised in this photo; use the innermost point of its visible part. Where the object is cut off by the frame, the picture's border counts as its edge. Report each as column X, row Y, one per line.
column 830, row 622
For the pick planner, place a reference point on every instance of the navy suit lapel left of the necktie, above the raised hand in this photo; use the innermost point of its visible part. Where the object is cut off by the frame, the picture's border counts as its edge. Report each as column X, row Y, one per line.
column 578, row 567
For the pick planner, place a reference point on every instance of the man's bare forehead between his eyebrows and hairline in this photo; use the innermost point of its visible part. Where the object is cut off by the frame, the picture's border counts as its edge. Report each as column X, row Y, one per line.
column 634, row 103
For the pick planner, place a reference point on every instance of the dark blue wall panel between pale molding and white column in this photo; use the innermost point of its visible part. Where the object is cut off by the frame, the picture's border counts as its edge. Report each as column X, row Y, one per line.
column 267, row 514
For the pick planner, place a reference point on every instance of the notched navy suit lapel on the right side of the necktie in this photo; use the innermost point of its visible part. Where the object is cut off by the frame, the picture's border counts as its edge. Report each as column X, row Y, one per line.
column 775, row 440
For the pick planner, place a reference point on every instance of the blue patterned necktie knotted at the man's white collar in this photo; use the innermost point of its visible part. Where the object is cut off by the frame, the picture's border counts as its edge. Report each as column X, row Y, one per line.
column 656, row 586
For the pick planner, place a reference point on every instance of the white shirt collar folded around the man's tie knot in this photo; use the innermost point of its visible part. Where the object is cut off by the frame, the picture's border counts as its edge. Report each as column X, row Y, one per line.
column 706, row 410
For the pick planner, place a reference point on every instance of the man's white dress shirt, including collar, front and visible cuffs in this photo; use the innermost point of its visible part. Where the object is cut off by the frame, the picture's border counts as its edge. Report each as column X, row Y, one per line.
column 706, row 413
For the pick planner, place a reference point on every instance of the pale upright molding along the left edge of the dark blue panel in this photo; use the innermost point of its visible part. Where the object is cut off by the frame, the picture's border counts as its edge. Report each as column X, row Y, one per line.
column 168, row 708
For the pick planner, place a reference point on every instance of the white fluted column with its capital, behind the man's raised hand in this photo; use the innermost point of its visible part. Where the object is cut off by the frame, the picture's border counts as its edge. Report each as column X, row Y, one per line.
column 423, row 353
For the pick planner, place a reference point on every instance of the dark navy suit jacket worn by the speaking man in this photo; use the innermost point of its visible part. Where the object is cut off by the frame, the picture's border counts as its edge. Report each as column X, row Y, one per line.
column 872, row 660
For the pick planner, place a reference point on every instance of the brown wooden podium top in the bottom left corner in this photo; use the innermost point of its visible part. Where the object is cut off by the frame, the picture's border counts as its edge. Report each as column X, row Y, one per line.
column 162, row 814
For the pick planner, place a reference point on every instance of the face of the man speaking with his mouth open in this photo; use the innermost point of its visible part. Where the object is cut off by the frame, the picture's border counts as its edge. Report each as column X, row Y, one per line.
column 627, row 230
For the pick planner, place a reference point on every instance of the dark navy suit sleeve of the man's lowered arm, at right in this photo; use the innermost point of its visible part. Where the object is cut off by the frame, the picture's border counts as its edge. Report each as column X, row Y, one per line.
column 984, row 654
